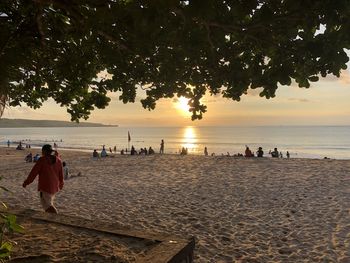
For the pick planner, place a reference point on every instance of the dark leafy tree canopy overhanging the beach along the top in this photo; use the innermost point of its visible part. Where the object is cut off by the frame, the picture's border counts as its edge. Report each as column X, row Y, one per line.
column 56, row 48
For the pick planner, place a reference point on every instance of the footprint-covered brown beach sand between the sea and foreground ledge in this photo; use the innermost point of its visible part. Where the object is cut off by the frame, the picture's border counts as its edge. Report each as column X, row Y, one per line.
column 239, row 210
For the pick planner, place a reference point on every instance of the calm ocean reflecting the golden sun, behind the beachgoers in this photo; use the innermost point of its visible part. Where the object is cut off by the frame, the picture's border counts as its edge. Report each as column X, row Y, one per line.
column 300, row 141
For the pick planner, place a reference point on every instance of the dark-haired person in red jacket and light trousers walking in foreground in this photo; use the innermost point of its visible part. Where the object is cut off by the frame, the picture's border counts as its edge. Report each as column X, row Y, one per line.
column 50, row 171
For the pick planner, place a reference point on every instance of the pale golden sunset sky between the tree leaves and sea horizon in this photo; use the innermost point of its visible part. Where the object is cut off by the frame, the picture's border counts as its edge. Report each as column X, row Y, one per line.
column 326, row 102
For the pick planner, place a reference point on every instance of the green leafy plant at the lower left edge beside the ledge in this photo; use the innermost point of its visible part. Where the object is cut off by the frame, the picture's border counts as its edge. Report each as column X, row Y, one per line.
column 8, row 225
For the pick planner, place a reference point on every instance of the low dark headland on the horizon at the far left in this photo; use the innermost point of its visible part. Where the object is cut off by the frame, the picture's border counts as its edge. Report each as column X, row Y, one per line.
column 24, row 123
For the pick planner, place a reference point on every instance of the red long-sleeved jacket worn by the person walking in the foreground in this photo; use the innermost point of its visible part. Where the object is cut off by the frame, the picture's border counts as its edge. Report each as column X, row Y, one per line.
column 50, row 175
